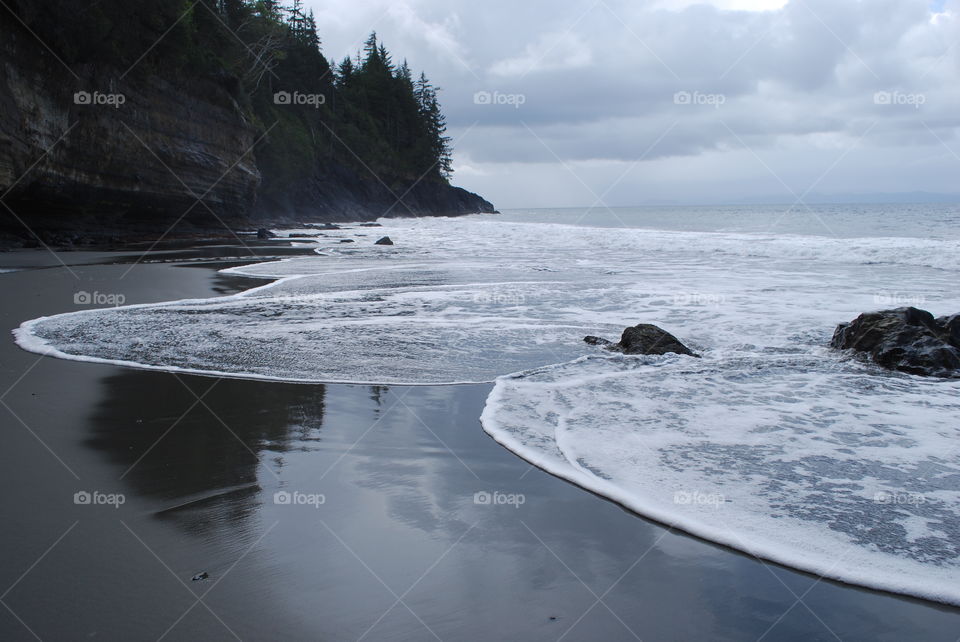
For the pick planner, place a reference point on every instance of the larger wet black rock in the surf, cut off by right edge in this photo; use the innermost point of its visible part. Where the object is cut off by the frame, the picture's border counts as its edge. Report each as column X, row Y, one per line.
column 905, row 339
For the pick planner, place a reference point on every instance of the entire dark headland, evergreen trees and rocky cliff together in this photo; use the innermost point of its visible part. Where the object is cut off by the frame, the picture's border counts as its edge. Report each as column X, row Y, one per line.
column 133, row 111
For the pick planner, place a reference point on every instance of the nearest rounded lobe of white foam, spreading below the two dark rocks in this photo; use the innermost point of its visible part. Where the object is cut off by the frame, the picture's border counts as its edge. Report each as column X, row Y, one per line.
column 826, row 467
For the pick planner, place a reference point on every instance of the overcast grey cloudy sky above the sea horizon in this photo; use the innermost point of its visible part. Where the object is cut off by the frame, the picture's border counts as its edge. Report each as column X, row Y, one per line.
column 624, row 102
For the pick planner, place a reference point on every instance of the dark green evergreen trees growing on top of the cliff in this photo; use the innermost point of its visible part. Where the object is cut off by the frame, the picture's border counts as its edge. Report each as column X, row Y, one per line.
column 366, row 111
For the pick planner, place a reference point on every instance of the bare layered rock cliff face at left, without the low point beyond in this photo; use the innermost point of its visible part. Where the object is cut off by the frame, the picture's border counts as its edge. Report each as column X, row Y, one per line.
column 83, row 148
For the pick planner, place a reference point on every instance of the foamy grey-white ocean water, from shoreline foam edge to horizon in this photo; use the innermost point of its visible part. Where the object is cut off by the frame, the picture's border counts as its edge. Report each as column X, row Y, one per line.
column 771, row 443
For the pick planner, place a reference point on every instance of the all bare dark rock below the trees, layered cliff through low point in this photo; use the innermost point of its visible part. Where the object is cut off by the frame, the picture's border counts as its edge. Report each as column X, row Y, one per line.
column 97, row 152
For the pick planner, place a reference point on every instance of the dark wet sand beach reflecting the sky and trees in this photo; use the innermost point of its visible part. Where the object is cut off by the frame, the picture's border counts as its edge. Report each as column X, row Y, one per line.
column 335, row 512
